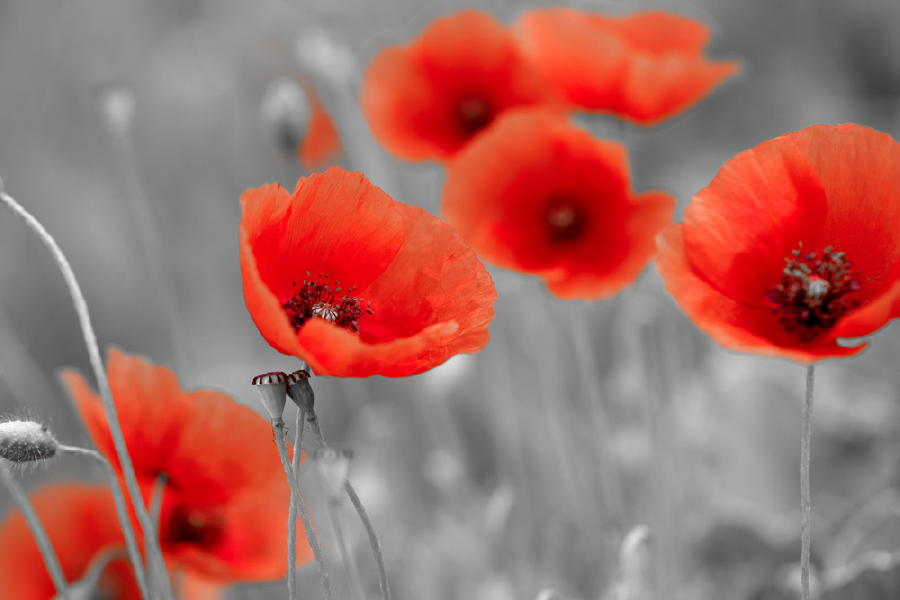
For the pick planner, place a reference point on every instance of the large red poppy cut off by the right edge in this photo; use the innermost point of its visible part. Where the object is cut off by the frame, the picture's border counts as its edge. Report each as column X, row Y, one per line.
column 793, row 245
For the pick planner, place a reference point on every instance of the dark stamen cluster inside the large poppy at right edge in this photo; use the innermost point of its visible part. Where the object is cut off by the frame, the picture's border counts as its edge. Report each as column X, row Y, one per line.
column 811, row 293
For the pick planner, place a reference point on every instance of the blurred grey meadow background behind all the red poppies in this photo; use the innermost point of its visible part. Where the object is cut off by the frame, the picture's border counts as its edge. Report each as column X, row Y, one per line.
column 495, row 476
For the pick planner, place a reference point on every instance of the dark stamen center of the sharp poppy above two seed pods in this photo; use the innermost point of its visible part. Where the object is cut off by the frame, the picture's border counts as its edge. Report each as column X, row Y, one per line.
column 316, row 298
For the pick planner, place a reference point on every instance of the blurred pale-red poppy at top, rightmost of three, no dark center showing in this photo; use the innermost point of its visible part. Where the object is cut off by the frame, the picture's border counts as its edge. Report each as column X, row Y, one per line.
column 645, row 67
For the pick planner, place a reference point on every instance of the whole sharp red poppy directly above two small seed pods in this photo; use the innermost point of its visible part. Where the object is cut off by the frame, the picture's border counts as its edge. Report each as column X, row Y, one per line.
column 356, row 284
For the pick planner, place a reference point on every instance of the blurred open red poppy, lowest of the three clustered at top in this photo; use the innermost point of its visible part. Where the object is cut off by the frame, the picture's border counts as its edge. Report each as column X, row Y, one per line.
column 538, row 195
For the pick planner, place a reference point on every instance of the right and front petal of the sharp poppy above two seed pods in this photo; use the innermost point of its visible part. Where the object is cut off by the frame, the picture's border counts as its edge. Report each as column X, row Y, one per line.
column 435, row 300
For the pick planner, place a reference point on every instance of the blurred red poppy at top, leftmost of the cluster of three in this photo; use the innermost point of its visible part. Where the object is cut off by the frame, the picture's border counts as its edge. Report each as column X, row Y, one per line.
column 427, row 99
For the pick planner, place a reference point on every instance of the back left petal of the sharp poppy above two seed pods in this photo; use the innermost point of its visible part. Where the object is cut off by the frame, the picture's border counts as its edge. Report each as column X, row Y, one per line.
column 336, row 223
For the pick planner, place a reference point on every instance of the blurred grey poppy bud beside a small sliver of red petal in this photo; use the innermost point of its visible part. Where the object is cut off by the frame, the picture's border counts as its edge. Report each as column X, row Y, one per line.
column 286, row 113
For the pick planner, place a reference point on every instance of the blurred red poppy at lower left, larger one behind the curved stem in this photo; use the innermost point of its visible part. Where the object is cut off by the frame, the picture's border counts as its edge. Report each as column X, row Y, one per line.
column 225, row 502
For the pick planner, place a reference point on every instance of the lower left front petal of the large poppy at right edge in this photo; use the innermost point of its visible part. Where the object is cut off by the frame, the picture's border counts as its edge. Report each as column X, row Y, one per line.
column 733, row 324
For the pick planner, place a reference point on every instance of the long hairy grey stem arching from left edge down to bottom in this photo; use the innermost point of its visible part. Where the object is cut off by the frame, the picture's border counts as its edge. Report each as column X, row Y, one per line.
column 154, row 554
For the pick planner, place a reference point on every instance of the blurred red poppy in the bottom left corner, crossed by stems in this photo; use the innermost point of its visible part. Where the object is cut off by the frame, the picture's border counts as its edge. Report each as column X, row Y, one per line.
column 81, row 522
